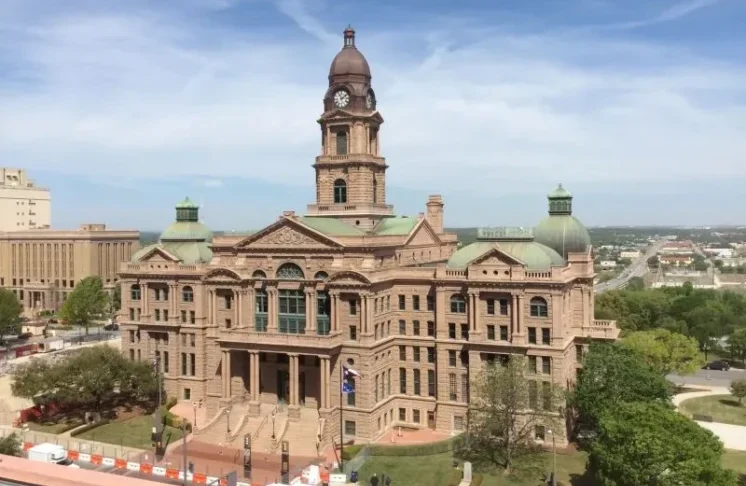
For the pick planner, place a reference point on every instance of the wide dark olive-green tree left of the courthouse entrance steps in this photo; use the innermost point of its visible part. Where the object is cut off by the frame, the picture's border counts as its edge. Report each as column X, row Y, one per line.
column 89, row 379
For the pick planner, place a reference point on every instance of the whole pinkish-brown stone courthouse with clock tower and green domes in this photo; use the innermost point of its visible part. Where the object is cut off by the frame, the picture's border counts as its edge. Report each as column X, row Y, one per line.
column 253, row 325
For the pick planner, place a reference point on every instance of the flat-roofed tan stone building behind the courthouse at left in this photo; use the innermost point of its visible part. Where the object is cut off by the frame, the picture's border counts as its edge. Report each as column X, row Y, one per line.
column 42, row 266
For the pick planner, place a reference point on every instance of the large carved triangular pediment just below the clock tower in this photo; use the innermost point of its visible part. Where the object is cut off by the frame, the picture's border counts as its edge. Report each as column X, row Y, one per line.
column 290, row 234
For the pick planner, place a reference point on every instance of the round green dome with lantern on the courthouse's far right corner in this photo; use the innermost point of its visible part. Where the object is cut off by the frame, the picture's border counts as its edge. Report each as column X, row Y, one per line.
column 562, row 231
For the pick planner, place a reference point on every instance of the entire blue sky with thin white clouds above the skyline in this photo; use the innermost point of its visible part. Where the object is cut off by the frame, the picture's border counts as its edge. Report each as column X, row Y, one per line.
column 124, row 108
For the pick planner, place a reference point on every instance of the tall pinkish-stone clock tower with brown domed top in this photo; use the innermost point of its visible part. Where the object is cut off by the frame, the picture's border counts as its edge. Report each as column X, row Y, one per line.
column 350, row 172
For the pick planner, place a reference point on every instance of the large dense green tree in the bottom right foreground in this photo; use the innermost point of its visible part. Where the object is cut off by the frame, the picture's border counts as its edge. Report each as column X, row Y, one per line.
column 650, row 444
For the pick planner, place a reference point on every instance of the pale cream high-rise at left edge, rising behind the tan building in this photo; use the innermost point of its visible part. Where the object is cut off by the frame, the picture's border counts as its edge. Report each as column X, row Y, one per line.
column 23, row 205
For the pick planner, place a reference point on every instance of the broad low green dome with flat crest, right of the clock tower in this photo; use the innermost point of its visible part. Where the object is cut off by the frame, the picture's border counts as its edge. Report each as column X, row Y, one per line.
column 516, row 242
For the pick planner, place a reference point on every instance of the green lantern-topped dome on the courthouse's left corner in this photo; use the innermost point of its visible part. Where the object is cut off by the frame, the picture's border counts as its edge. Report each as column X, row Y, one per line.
column 186, row 239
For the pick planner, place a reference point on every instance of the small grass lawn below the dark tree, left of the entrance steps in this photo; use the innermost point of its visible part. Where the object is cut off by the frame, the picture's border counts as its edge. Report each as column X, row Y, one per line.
column 134, row 432
